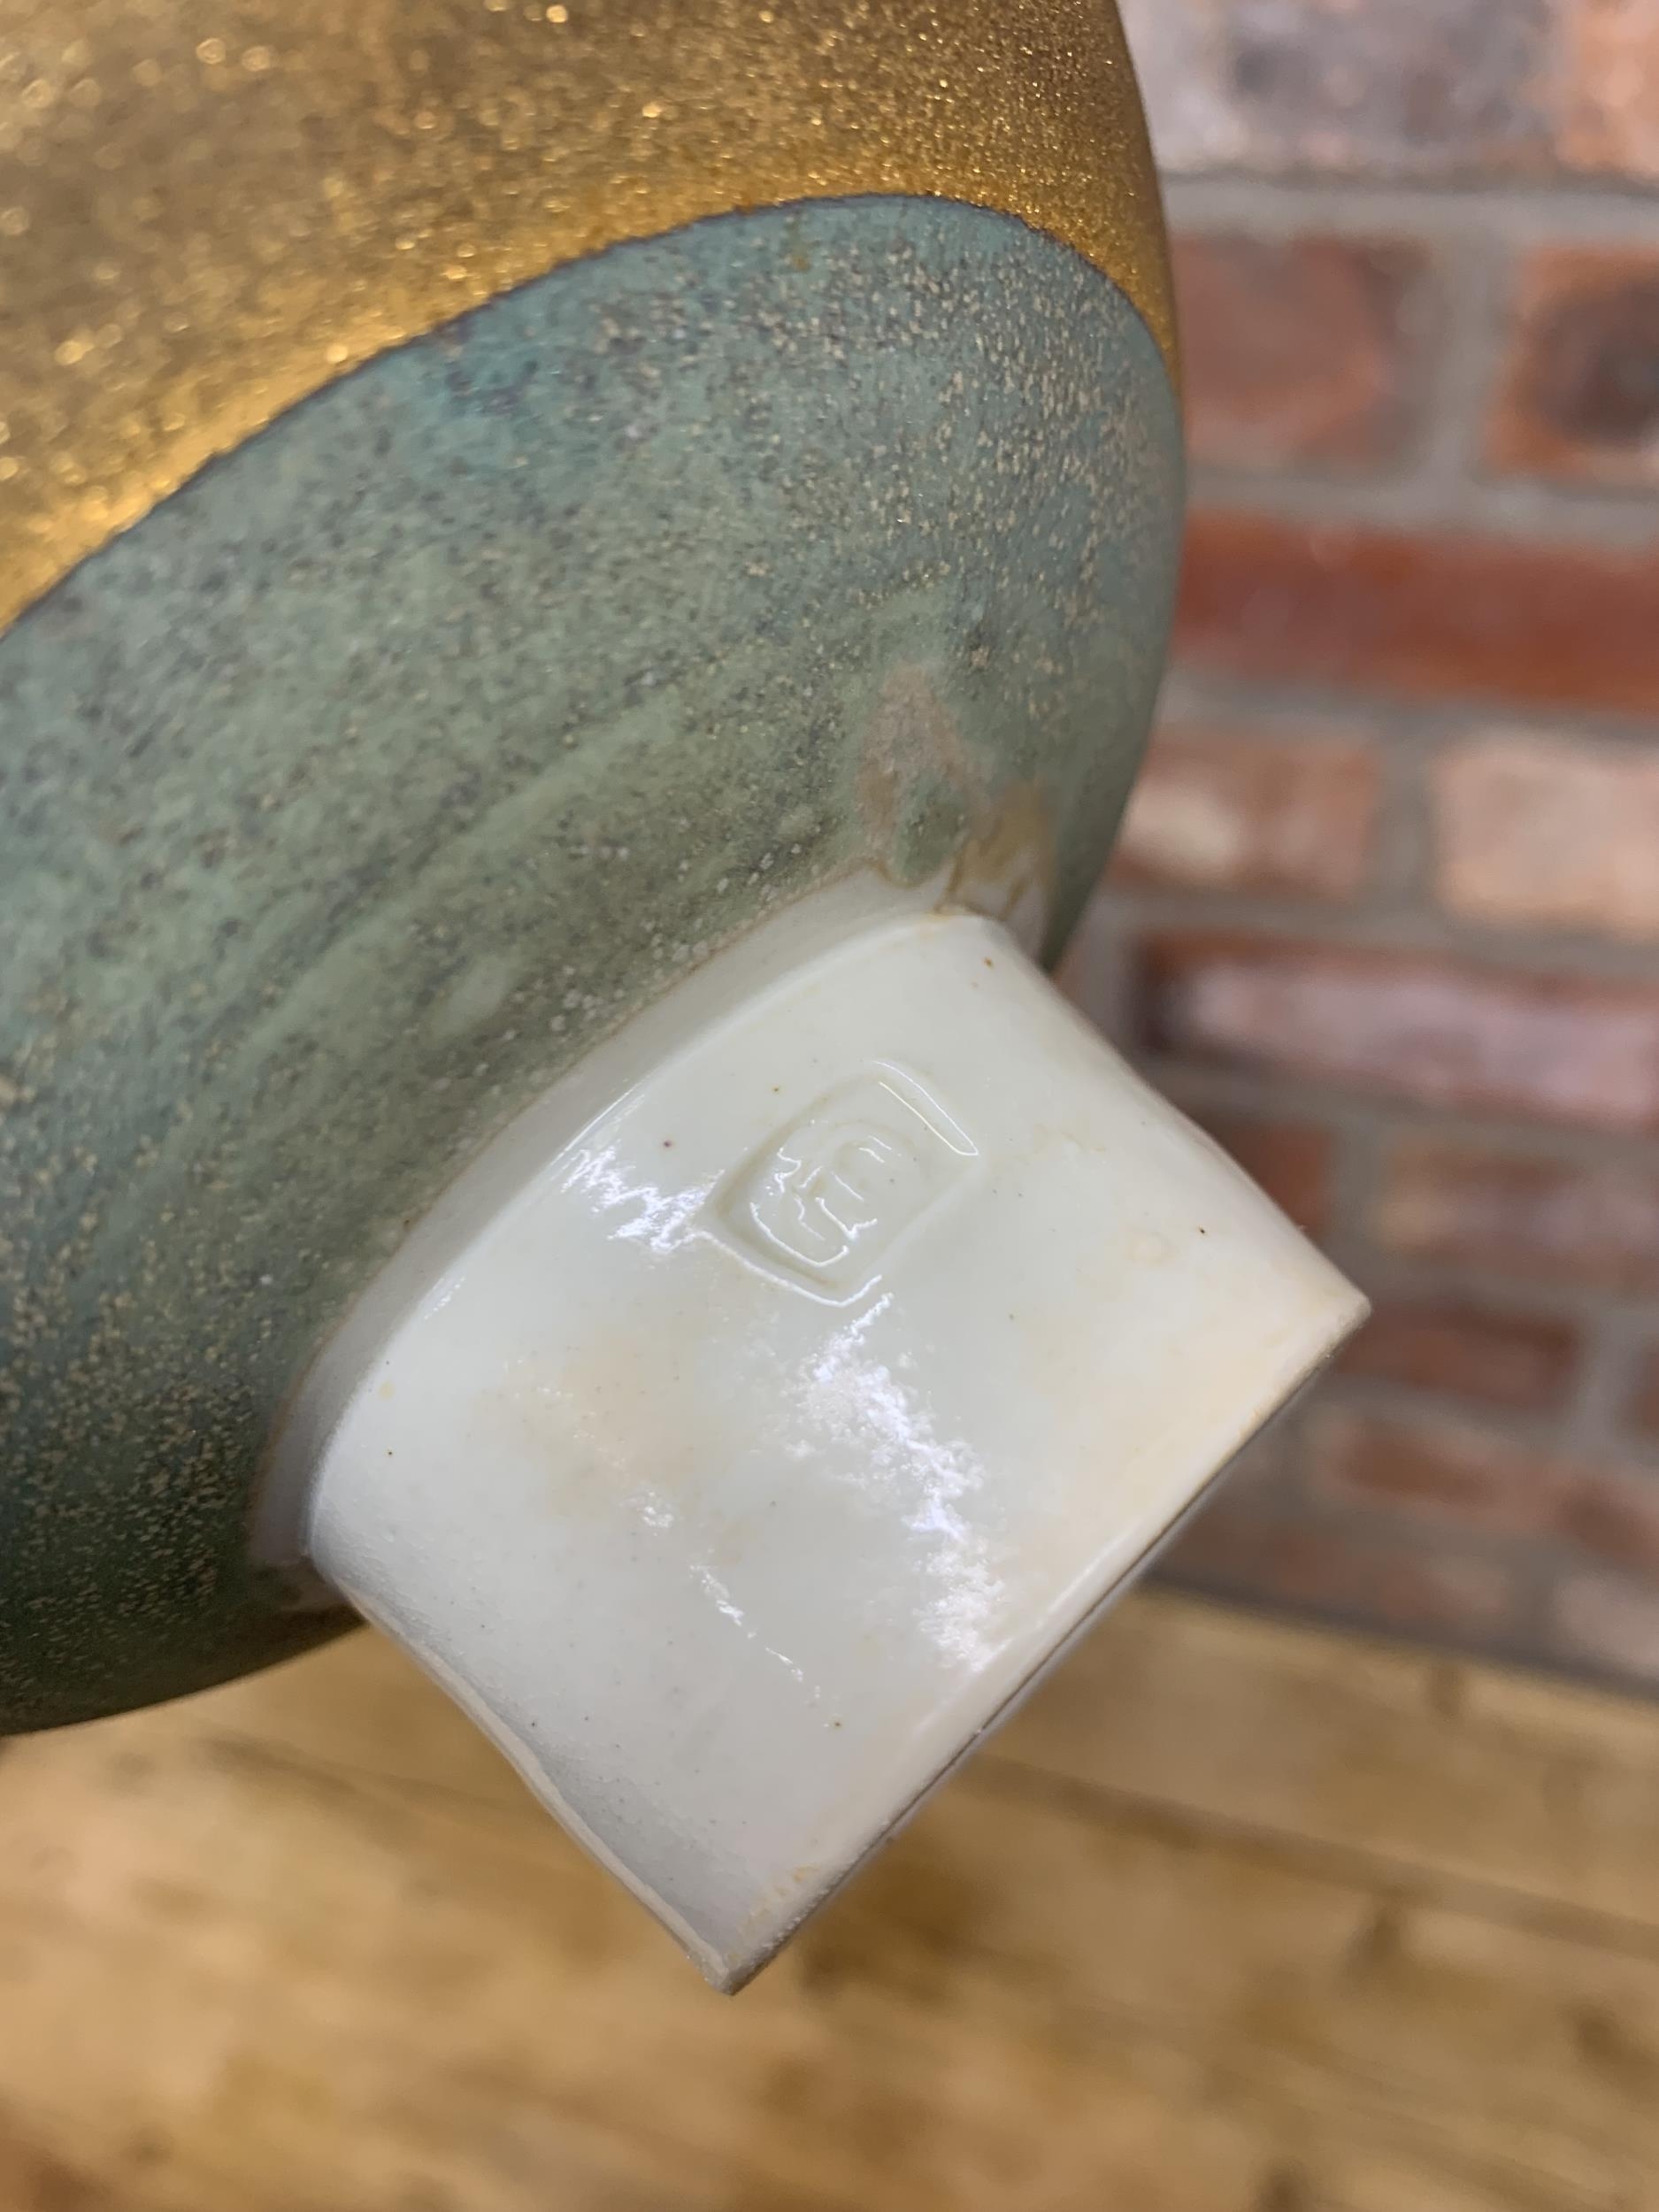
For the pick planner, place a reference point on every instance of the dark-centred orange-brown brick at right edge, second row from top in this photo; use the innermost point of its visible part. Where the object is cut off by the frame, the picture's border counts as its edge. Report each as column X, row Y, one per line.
column 1580, row 390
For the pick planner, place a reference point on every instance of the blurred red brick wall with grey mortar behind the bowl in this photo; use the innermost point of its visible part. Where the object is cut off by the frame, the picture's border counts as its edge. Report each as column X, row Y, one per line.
column 1388, row 901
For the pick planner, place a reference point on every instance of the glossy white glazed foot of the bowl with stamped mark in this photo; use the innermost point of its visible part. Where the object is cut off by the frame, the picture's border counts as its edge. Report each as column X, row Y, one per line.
column 751, row 1432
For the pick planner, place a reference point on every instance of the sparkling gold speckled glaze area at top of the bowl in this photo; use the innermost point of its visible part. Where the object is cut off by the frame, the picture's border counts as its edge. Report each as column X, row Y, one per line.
column 211, row 209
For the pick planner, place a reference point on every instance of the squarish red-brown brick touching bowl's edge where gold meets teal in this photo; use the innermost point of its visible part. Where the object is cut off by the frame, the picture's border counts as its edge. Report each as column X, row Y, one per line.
column 1302, row 353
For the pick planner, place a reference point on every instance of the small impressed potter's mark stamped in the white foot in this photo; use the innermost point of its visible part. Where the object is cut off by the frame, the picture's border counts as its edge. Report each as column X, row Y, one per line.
column 831, row 1193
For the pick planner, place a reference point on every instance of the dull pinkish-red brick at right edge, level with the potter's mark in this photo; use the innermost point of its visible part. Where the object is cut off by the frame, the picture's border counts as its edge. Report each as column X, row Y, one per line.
column 1472, row 1207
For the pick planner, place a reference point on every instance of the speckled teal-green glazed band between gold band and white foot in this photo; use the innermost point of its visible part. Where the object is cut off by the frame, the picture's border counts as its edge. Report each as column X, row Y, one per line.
column 419, row 742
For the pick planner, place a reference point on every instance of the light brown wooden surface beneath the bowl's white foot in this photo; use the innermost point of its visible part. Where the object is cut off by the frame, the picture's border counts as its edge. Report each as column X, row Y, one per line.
column 1235, row 1919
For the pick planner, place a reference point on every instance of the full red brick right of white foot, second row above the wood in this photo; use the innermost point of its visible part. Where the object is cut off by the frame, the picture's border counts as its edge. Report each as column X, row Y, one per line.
column 1443, row 1468
